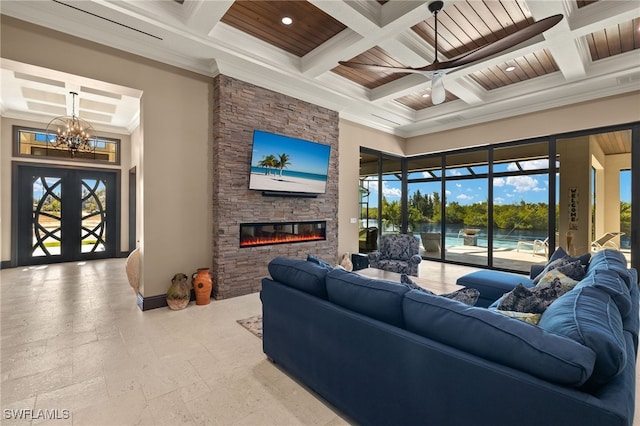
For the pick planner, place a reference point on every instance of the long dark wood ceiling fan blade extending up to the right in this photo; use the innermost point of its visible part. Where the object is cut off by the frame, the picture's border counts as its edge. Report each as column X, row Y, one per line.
column 502, row 44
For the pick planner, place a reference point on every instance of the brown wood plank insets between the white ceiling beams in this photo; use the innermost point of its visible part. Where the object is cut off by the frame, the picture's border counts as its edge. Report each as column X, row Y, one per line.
column 462, row 27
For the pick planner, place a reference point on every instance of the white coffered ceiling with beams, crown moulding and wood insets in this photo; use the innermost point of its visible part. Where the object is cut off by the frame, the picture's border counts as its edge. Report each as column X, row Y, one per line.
column 592, row 53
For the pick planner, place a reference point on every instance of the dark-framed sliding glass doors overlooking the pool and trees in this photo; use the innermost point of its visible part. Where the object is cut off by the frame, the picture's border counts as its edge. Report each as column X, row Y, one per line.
column 509, row 206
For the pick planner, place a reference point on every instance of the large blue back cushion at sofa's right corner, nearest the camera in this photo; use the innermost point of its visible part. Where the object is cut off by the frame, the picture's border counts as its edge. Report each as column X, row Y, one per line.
column 590, row 317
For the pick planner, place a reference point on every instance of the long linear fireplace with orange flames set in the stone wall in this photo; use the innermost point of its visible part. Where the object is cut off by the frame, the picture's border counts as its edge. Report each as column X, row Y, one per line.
column 260, row 234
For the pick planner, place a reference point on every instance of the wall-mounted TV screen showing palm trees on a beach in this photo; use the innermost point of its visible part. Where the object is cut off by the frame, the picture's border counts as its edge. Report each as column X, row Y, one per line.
column 285, row 164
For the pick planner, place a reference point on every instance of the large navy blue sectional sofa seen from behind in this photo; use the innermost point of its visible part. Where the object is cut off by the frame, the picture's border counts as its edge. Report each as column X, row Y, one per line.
column 386, row 355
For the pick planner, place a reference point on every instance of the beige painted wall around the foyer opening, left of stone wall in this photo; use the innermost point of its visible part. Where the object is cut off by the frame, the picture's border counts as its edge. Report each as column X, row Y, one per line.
column 173, row 167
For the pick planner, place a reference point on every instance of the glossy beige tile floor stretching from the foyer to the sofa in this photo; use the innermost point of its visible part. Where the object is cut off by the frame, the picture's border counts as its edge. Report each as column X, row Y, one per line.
column 76, row 347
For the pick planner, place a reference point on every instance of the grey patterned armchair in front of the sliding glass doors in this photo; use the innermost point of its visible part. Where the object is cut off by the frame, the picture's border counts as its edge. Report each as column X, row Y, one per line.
column 398, row 253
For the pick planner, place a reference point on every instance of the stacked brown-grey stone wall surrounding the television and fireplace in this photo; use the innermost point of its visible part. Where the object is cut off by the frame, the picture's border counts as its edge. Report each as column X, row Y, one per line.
column 238, row 109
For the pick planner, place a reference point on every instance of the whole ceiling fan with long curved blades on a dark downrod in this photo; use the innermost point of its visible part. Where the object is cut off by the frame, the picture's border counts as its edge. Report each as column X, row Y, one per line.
column 437, row 69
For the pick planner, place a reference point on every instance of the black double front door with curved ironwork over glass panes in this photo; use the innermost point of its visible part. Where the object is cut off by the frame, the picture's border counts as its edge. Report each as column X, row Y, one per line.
column 65, row 214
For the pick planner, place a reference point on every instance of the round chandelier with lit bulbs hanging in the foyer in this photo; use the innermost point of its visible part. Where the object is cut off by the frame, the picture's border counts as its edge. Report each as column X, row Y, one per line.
column 71, row 133
